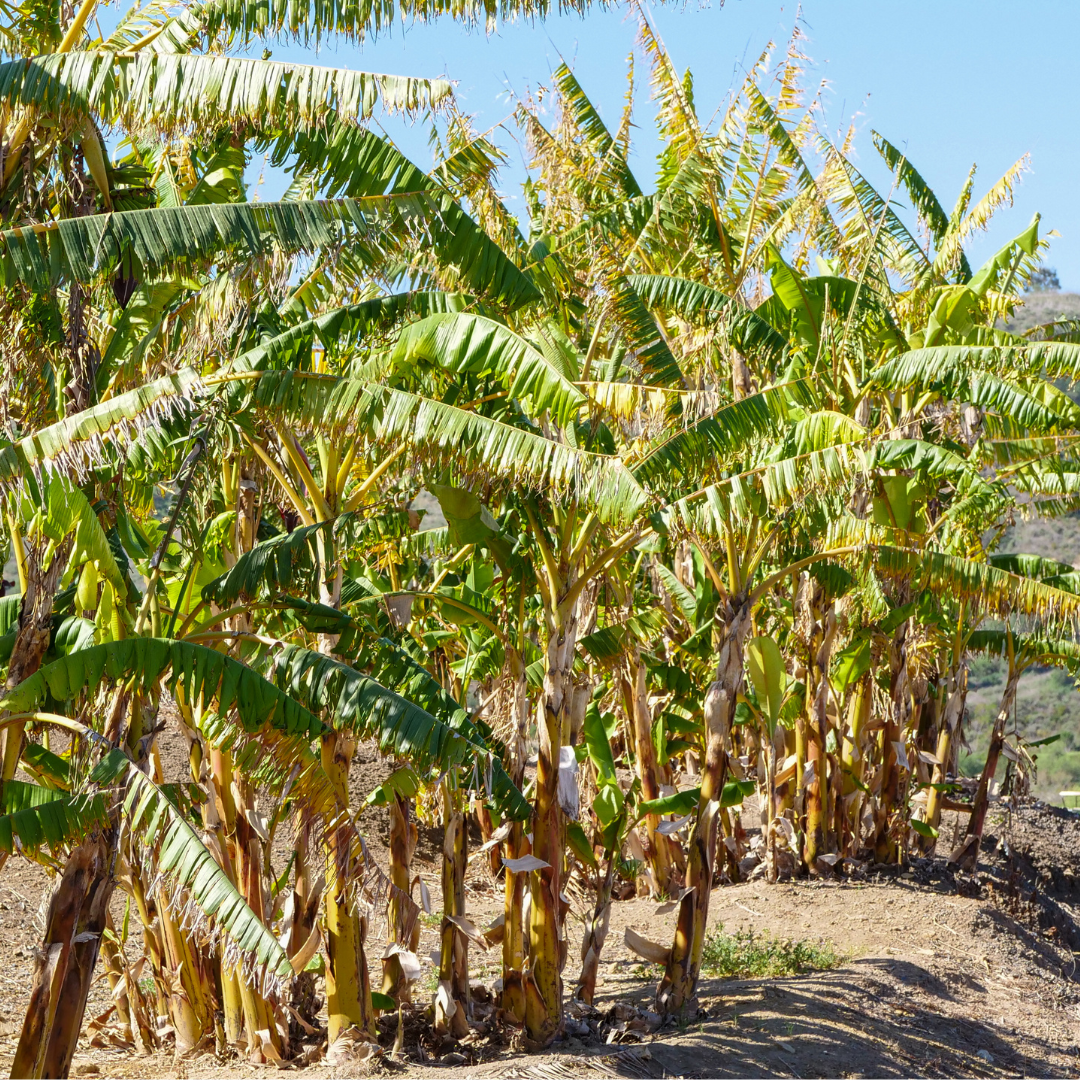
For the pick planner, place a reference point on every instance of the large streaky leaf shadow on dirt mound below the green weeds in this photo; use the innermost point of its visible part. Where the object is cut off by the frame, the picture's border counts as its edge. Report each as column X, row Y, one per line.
column 875, row 1018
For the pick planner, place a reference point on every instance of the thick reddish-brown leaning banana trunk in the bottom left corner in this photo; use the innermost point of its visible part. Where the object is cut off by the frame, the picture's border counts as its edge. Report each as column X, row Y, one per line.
column 65, row 966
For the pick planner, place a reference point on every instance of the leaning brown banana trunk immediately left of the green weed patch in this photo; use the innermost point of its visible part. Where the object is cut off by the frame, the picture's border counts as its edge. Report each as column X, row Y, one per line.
column 679, row 985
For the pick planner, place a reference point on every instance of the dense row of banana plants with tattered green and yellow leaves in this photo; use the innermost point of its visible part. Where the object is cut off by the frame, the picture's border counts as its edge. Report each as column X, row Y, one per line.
column 725, row 467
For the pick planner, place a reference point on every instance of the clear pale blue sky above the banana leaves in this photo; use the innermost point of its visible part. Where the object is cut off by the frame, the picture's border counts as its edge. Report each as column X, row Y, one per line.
column 952, row 83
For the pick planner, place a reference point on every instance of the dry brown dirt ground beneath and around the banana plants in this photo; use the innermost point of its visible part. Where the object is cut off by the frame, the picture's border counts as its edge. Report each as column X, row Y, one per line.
column 943, row 975
